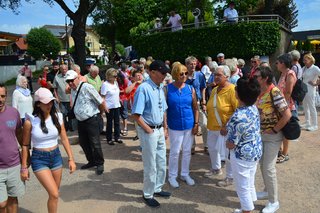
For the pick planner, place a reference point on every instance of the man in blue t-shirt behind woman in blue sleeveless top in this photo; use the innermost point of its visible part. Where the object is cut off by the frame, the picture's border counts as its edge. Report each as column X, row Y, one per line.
column 198, row 81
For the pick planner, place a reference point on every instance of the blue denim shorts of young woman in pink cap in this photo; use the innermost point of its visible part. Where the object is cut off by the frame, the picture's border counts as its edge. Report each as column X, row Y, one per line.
column 41, row 160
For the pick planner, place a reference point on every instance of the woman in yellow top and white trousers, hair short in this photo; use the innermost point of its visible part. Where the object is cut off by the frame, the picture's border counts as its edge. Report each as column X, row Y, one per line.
column 220, row 107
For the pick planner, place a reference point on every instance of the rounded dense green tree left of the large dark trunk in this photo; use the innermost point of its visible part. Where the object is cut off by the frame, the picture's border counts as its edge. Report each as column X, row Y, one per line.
column 42, row 42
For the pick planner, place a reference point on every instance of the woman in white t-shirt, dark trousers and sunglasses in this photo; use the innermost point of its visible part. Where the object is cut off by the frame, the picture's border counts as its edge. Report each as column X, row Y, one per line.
column 111, row 93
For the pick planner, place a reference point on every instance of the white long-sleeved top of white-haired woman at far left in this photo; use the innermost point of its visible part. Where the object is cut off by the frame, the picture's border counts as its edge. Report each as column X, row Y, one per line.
column 22, row 103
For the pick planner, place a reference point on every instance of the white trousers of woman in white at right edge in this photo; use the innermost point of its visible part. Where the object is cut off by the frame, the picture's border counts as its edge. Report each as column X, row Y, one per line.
column 309, row 108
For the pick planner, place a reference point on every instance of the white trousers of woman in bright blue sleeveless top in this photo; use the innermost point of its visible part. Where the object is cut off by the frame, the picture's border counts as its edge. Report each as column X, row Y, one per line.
column 180, row 139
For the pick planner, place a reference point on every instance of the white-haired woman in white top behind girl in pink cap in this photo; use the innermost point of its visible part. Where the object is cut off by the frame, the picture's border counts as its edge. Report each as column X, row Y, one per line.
column 21, row 98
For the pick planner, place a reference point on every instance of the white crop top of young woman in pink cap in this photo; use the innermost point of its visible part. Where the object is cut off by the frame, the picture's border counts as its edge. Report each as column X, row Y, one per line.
column 42, row 140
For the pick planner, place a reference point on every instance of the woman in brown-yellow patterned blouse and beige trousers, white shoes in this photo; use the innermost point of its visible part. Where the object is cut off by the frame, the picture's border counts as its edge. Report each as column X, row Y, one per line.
column 270, row 103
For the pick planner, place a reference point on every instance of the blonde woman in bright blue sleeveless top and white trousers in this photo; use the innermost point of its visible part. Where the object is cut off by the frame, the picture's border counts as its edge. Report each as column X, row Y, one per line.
column 183, row 120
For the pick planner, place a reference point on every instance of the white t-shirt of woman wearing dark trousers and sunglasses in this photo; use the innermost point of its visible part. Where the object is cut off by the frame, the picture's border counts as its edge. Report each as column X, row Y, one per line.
column 112, row 94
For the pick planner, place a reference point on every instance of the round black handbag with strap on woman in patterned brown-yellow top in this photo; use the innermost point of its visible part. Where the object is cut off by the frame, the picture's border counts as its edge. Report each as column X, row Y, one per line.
column 292, row 130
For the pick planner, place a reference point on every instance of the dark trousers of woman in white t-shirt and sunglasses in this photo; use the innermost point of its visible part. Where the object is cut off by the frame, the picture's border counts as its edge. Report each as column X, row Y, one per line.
column 113, row 117
